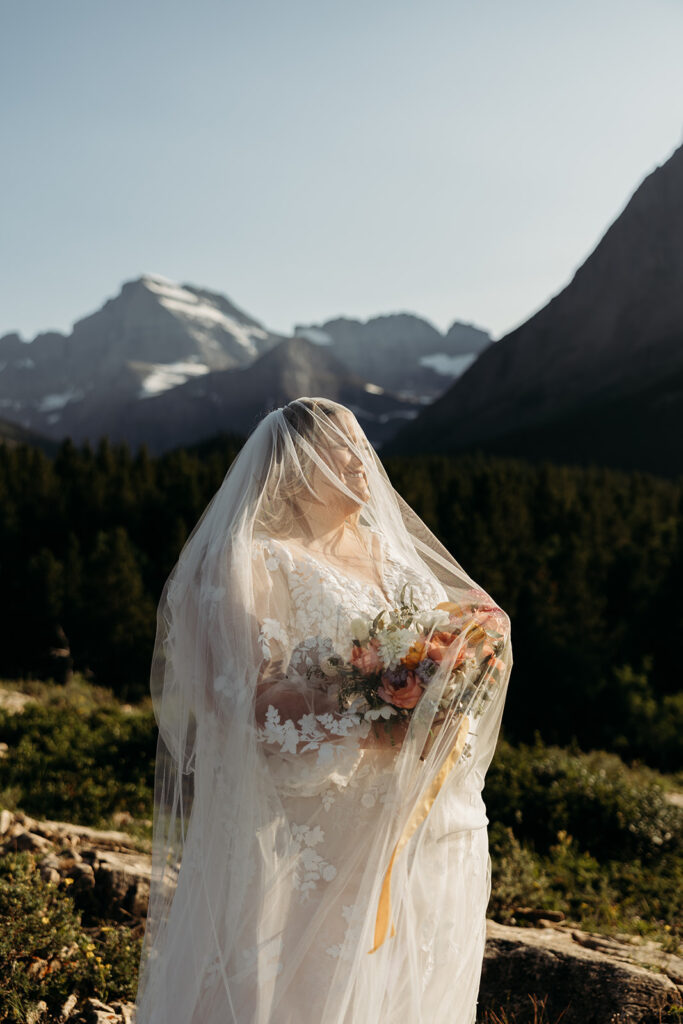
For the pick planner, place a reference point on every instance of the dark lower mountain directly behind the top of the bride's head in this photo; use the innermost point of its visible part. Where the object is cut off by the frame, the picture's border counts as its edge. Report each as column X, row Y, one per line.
column 234, row 401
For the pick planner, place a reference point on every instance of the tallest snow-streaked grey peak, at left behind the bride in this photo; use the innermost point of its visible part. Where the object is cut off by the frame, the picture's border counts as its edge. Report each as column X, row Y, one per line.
column 153, row 336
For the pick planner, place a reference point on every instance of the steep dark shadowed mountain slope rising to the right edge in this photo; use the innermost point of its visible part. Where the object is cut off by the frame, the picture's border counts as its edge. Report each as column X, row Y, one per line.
column 615, row 329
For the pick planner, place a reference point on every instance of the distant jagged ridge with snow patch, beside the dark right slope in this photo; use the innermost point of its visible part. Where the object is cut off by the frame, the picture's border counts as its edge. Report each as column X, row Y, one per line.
column 401, row 353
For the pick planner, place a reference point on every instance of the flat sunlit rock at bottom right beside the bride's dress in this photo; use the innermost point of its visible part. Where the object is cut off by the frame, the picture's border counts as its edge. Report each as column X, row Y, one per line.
column 587, row 979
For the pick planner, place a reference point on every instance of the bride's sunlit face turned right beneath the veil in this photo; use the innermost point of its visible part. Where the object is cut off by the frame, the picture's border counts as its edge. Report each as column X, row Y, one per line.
column 346, row 464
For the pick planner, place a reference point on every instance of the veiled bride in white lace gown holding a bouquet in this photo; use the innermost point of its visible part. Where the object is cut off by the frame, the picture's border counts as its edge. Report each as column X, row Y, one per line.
column 320, row 855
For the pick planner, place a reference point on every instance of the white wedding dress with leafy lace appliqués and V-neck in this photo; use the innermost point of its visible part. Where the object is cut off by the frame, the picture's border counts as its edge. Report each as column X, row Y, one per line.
column 287, row 840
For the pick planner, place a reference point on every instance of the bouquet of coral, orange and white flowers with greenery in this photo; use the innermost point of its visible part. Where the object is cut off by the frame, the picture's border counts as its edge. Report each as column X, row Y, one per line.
column 395, row 656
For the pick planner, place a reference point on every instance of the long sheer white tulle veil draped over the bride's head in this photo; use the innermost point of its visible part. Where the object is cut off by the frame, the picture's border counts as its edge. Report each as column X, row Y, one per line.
column 219, row 946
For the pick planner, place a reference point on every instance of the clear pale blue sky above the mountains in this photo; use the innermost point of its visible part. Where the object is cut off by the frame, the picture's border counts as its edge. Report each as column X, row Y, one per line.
column 314, row 159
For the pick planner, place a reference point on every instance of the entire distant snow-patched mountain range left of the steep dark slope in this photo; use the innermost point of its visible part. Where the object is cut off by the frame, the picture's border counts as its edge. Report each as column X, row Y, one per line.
column 117, row 370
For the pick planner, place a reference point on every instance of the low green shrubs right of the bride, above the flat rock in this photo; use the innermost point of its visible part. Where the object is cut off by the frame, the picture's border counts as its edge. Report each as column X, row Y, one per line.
column 588, row 836
